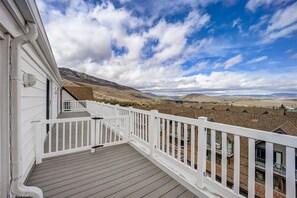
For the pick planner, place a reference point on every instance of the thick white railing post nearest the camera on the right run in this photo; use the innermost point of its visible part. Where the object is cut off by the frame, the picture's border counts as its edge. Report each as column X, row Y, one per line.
column 201, row 157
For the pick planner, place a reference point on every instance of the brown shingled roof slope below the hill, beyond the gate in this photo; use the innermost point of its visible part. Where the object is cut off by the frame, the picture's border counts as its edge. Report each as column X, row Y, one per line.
column 80, row 93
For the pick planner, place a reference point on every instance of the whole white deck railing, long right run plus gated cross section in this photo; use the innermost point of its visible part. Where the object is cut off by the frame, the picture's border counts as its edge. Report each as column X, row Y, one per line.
column 180, row 145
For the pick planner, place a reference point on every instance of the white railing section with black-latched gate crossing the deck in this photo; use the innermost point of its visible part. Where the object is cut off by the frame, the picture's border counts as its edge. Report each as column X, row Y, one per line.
column 63, row 136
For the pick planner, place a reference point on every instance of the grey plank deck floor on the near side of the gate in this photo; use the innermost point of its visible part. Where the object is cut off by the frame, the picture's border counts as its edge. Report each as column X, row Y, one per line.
column 116, row 171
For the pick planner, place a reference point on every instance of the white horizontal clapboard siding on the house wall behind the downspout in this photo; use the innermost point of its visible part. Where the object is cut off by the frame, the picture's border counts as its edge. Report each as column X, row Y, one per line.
column 33, row 105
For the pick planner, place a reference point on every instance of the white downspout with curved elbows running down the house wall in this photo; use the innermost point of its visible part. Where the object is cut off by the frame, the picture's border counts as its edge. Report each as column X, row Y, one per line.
column 17, row 187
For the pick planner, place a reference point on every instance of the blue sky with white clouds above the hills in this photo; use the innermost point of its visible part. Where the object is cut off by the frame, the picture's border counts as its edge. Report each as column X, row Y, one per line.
column 178, row 47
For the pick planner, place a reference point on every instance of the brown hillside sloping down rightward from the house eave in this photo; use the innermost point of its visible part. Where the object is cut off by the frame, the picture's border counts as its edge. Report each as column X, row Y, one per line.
column 103, row 89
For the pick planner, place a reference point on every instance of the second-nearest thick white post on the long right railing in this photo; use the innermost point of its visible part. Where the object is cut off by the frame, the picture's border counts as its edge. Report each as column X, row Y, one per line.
column 153, row 132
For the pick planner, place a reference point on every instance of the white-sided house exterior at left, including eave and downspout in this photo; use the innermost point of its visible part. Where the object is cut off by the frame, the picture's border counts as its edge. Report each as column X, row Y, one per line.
column 30, row 89
